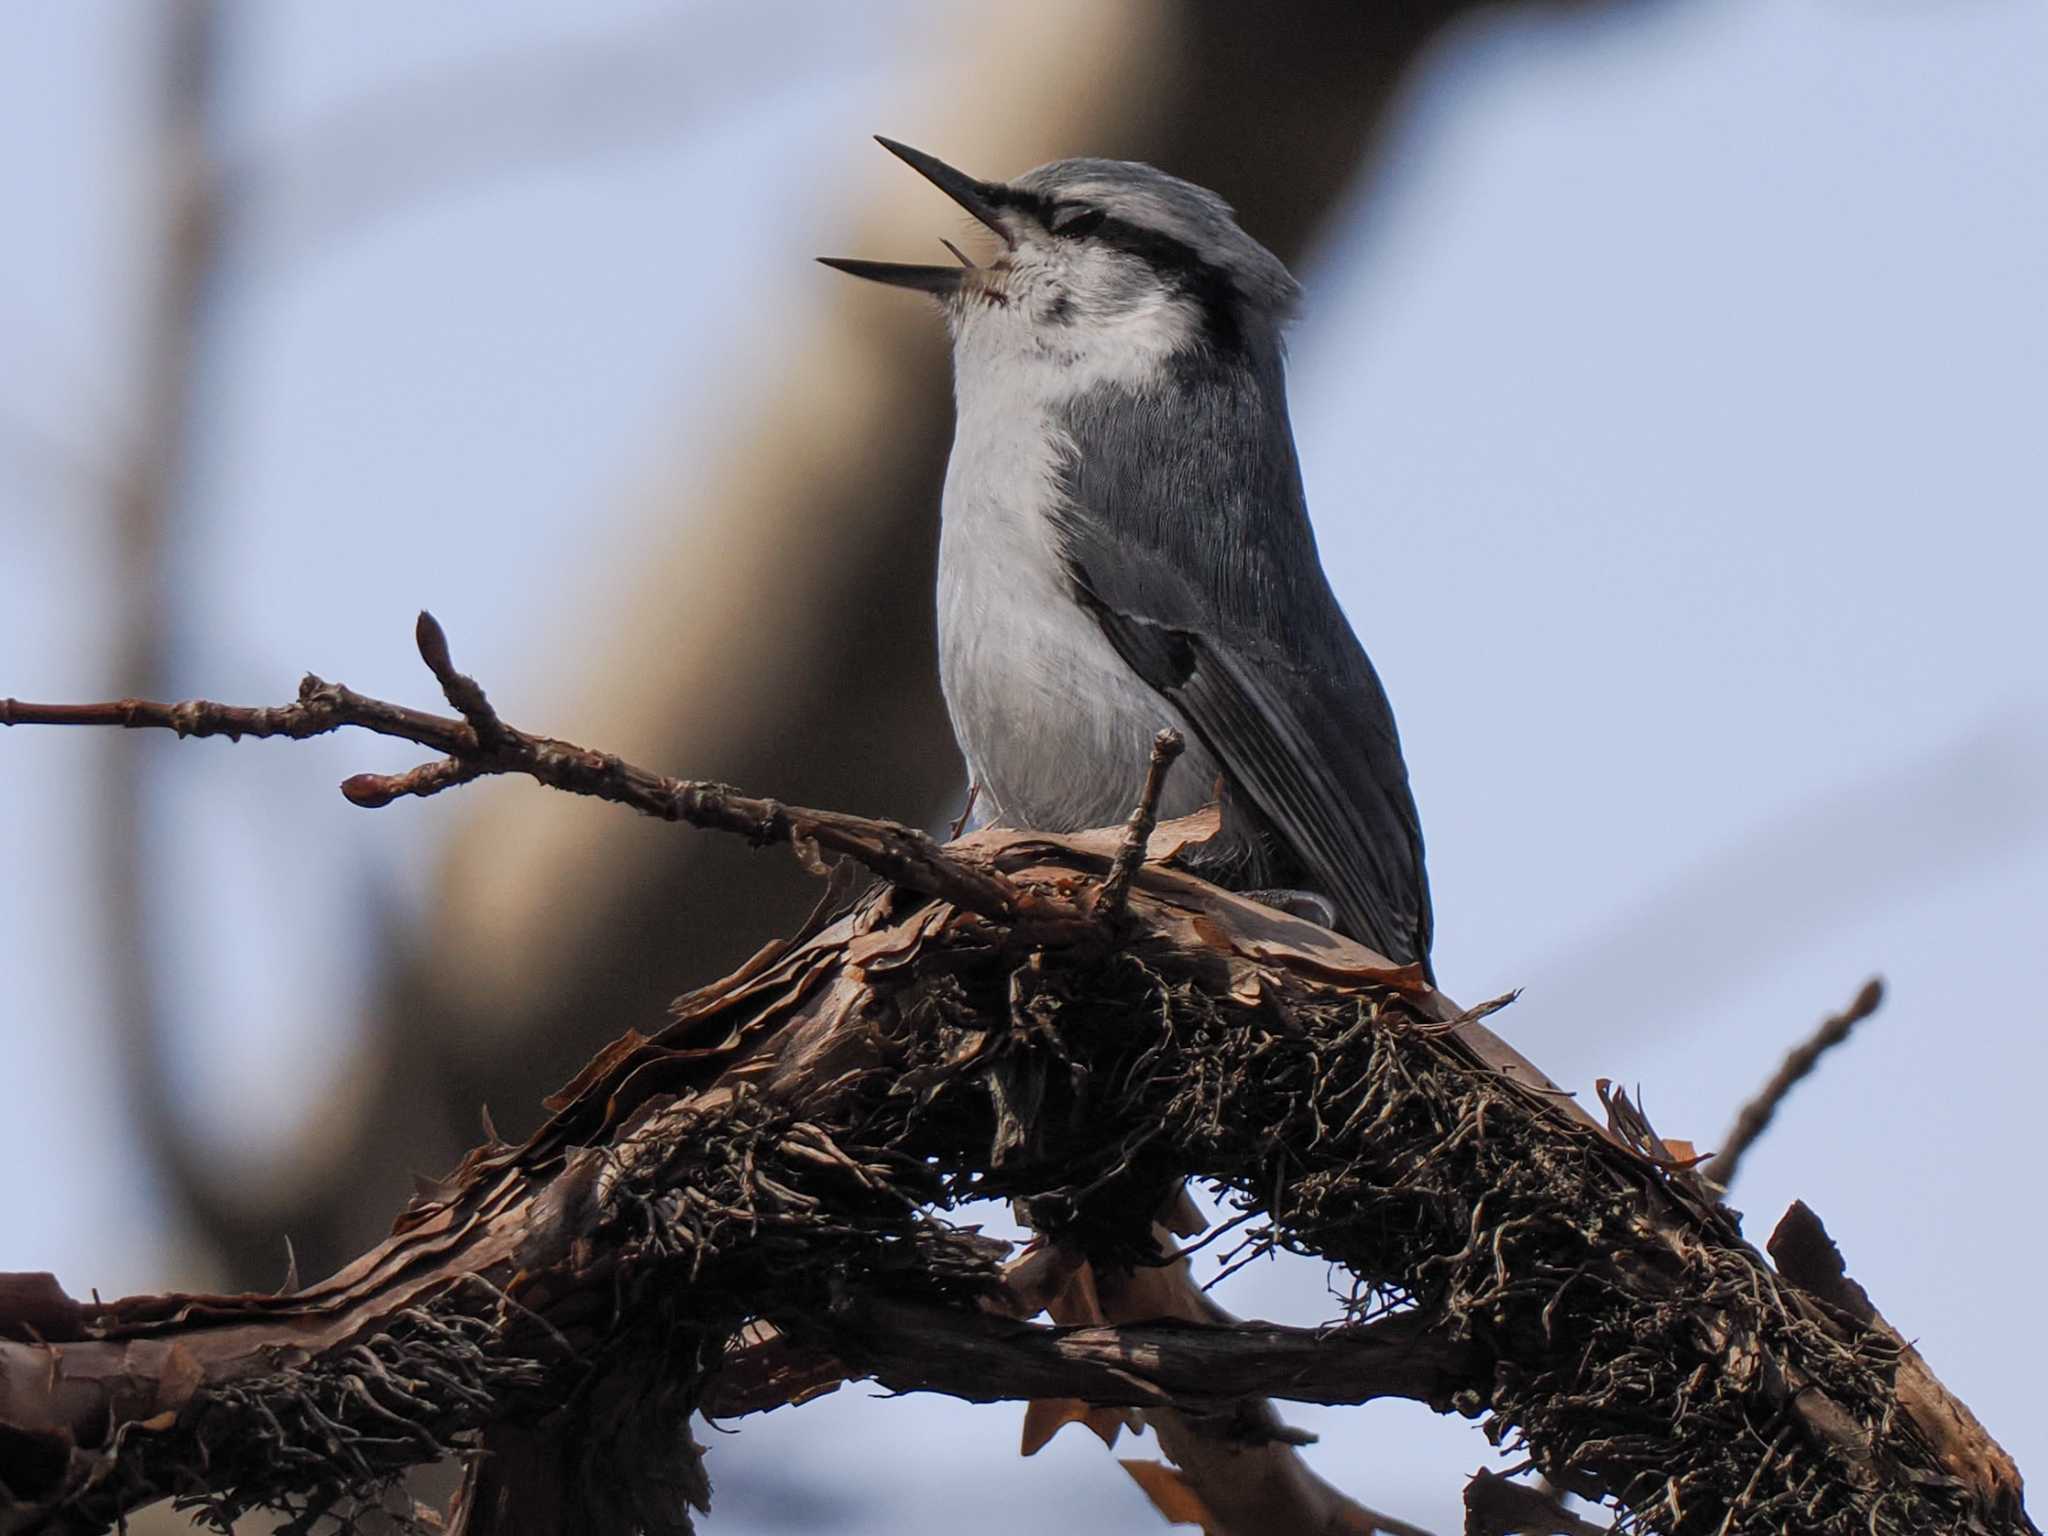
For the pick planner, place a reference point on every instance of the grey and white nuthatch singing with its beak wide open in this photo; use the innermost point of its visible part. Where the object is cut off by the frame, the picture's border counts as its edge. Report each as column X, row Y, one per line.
column 1125, row 546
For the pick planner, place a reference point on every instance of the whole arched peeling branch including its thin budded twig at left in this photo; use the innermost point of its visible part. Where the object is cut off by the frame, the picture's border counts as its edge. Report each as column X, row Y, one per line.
column 765, row 1168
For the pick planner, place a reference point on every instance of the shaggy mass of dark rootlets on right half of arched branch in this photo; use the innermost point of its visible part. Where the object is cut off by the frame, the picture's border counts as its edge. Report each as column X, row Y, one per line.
column 1639, row 1359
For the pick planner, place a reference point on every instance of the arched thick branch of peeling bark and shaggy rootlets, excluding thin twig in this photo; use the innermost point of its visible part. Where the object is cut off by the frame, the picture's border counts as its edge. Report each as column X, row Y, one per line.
column 785, row 1144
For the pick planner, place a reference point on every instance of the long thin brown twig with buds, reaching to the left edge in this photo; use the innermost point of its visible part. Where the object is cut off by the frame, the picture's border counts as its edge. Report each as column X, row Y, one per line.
column 480, row 746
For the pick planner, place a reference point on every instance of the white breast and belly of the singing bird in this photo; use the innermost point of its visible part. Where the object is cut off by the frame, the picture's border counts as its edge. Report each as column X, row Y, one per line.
column 1054, row 724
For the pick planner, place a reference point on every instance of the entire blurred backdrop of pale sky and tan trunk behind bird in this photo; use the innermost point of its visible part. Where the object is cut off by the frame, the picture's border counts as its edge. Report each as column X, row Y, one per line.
column 1672, row 402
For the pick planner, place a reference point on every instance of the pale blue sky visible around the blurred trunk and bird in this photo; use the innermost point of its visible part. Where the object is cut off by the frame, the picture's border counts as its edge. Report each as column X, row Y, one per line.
column 1672, row 417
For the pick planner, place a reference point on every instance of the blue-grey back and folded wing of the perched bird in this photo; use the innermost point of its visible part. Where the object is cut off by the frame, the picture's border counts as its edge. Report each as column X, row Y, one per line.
column 1187, row 536
